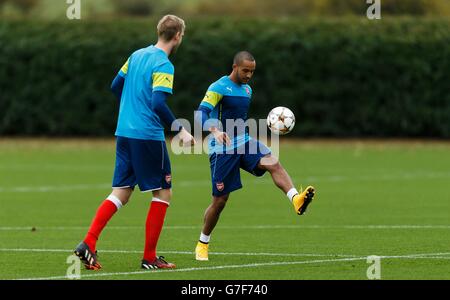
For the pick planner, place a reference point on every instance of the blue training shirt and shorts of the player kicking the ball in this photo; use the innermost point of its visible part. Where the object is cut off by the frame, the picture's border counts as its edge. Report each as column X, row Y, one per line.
column 227, row 100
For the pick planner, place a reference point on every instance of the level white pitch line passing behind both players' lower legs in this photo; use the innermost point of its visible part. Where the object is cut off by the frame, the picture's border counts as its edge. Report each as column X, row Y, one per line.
column 229, row 227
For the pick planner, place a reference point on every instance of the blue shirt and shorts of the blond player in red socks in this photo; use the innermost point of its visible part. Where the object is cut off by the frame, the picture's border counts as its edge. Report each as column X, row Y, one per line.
column 142, row 86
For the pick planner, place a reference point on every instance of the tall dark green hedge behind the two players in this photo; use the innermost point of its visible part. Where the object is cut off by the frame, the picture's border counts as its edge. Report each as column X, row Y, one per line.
column 345, row 78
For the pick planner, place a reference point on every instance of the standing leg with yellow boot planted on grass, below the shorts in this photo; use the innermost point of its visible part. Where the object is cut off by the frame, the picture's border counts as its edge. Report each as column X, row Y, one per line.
column 211, row 218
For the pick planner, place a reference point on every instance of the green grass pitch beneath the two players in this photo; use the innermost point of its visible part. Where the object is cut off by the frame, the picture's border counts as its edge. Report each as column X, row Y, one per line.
column 390, row 199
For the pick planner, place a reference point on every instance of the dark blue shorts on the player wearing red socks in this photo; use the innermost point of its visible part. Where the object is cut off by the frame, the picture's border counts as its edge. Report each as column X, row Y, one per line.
column 142, row 162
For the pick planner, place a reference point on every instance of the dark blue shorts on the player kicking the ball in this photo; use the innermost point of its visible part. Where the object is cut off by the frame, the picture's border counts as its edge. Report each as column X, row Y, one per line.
column 225, row 167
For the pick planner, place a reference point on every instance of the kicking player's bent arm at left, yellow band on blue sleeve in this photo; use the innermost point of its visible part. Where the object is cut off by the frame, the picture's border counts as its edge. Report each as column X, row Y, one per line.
column 211, row 99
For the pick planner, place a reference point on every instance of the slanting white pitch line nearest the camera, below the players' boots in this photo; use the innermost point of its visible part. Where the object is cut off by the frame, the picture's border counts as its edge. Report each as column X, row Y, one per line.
column 229, row 267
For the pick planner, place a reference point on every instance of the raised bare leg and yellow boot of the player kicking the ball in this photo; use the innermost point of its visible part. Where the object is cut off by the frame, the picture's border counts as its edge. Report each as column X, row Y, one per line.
column 281, row 178
